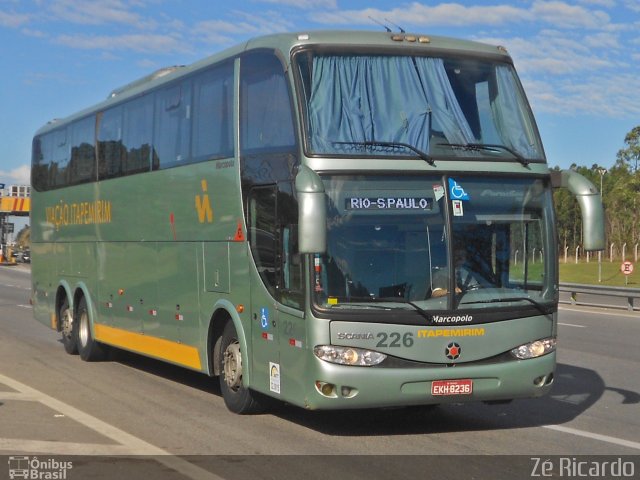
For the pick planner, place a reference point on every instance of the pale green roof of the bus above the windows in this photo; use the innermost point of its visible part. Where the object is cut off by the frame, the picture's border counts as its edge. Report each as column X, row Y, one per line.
column 286, row 43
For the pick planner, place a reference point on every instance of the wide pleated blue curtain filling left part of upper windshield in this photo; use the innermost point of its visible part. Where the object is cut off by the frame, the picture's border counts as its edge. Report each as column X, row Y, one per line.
column 360, row 98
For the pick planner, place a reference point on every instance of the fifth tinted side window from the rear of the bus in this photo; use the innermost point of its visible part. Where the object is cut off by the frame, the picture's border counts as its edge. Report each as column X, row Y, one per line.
column 137, row 135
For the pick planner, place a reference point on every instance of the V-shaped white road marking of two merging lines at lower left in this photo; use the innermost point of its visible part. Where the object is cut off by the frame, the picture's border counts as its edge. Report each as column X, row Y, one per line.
column 127, row 444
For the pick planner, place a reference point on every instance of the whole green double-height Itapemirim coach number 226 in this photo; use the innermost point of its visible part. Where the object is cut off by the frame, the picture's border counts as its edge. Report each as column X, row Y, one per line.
column 293, row 215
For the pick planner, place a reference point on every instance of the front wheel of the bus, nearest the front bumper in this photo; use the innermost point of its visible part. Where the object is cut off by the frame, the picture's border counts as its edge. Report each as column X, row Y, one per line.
column 237, row 397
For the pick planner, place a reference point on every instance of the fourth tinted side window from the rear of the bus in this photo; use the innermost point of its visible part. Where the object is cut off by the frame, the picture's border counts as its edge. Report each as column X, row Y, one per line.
column 110, row 148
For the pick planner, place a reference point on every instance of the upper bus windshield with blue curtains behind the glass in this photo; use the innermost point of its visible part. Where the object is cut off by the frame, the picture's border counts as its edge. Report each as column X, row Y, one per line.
column 384, row 105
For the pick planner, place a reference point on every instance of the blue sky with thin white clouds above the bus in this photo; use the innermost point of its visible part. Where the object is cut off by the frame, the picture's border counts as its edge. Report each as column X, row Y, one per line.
column 579, row 60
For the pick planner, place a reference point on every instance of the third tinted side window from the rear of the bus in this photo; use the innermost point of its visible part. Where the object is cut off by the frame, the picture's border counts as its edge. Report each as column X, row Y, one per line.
column 82, row 167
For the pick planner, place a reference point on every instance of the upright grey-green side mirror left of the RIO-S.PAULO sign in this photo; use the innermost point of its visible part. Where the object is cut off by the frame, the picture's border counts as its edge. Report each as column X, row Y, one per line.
column 312, row 212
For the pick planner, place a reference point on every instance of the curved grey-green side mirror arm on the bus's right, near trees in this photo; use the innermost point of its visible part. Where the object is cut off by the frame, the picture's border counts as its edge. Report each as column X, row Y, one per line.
column 590, row 203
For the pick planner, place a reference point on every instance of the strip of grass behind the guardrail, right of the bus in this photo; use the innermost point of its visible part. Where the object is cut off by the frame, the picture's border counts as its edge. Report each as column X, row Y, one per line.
column 587, row 273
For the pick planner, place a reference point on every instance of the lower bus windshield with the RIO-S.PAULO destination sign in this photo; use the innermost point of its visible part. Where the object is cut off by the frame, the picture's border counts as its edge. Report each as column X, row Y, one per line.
column 389, row 245
